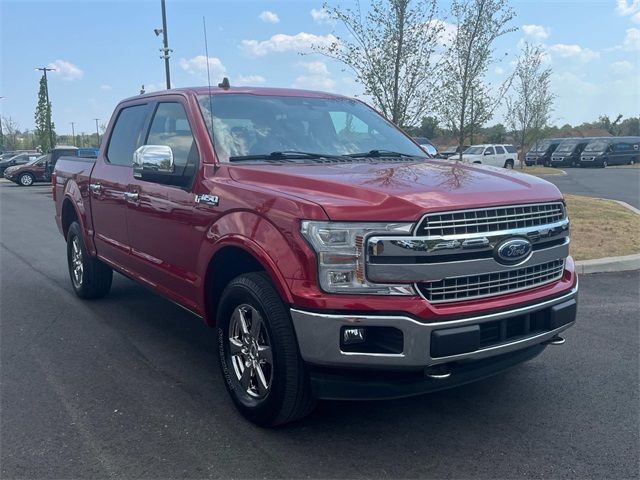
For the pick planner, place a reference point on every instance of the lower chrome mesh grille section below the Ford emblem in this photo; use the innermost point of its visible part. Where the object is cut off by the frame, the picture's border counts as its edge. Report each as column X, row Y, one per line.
column 490, row 284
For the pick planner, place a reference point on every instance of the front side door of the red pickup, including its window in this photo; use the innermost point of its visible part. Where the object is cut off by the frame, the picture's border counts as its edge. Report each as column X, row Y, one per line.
column 165, row 226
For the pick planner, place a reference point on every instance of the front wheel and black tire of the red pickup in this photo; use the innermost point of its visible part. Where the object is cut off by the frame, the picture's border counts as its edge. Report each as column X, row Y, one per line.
column 275, row 393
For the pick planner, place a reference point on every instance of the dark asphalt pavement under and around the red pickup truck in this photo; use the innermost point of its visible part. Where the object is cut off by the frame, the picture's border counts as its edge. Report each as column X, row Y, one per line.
column 129, row 386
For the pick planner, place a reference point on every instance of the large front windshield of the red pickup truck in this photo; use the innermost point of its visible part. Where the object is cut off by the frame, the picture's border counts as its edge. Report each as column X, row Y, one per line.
column 259, row 125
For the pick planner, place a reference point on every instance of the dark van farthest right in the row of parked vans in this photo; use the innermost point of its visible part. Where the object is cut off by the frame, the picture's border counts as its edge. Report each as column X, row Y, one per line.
column 605, row 151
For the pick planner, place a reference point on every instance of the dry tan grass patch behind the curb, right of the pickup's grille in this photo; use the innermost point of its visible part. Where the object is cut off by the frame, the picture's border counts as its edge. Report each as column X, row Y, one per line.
column 602, row 228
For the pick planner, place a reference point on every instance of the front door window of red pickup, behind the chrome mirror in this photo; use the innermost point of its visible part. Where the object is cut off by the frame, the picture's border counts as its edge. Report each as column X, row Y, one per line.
column 170, row 127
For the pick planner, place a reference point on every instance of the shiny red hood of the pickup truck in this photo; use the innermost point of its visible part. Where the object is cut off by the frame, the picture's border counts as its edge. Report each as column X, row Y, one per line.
column 398, row 191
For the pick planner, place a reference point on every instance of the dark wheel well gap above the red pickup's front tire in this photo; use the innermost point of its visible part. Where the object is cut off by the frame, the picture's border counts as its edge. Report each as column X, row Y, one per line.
column 226, row 265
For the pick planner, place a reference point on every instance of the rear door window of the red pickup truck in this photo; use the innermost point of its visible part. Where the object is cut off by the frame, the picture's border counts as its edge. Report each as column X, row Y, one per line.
column 125, row 138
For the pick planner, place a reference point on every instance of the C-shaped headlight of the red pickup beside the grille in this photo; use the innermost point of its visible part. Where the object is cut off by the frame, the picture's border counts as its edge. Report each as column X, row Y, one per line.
column 340, row 248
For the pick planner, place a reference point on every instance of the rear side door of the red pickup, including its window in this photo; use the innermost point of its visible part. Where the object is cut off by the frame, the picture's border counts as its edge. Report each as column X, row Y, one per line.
column 110, row 180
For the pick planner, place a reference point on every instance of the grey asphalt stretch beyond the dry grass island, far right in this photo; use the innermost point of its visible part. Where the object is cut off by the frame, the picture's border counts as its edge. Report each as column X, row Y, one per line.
column 617, row 183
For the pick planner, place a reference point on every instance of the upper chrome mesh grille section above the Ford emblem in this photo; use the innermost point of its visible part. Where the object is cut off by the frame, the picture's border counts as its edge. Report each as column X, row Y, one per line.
column 487, row 220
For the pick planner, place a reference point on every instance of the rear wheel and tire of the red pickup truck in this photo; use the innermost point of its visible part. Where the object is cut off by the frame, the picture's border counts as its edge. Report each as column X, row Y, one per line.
column 90, row 278
